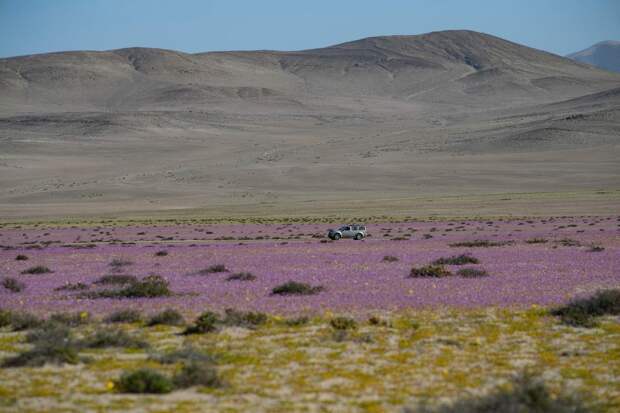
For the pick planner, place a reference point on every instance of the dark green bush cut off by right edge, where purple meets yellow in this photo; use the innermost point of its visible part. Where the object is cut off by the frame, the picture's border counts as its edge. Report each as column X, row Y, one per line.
column 582, row 312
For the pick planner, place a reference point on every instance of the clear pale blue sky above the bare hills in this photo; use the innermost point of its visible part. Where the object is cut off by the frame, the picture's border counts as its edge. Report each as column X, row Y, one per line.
column 40, row 26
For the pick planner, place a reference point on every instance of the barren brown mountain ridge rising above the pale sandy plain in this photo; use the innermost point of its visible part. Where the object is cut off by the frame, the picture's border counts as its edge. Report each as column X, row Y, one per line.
column 452, row 67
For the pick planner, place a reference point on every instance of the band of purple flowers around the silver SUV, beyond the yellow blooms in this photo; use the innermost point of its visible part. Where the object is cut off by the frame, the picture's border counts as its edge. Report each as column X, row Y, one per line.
column 354, row 275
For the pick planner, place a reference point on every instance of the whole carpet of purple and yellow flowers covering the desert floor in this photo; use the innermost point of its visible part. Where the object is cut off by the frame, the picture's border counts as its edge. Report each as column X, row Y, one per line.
column 434, row 311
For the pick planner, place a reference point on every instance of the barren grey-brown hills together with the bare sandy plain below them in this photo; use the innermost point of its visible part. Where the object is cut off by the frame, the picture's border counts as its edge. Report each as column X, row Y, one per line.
column 390, row 117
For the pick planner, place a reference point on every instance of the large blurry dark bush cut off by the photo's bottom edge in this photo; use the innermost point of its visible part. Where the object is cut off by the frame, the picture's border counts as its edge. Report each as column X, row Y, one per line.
column 526, row 393
